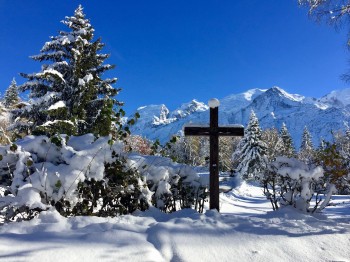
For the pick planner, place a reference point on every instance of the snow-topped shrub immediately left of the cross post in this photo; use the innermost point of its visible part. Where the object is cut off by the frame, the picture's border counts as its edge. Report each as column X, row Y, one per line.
column 175, row 185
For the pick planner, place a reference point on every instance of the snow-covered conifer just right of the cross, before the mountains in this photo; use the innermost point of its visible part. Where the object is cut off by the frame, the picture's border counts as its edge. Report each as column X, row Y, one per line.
column 251, row 153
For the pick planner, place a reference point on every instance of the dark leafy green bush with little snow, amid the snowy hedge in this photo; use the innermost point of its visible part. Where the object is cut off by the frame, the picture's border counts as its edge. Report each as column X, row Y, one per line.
column 121, row 191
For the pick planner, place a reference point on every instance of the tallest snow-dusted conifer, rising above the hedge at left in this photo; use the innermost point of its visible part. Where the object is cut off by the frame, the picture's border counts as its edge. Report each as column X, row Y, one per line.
column 69, row 95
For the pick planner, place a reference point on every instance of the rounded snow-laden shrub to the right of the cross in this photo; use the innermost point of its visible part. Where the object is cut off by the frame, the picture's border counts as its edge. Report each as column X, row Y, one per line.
column 289, row 181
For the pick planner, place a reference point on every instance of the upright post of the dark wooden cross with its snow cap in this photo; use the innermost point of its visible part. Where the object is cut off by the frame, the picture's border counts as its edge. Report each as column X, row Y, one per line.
column 214, row 154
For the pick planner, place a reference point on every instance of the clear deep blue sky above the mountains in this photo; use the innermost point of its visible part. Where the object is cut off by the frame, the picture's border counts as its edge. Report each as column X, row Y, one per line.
column 173, row 51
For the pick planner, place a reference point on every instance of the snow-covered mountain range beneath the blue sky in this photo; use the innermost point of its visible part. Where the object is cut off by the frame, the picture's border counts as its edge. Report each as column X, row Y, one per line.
column 272, row 106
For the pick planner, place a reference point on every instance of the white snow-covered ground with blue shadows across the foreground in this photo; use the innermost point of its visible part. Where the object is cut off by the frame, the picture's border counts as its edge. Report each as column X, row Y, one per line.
column 245, row 230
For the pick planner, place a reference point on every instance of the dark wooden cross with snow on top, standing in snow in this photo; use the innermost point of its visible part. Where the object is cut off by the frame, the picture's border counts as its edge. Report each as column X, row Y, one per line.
column 214, row 131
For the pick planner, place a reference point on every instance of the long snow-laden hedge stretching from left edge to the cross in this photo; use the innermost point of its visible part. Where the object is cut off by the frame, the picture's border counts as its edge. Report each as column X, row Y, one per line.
column 85, row 175
